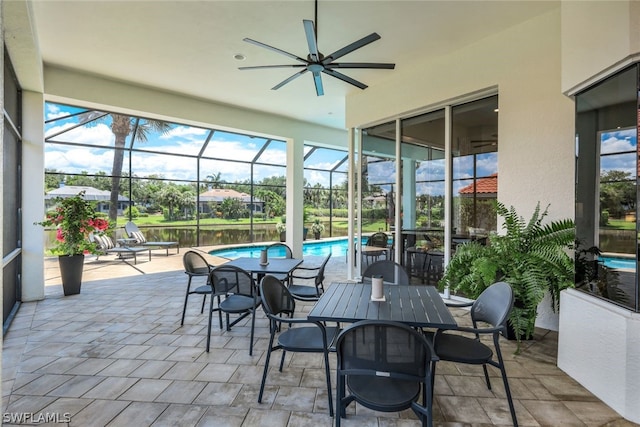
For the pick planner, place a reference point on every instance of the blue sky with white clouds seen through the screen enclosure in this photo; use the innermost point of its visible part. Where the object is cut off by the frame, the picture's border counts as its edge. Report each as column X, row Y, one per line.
column 181, row 139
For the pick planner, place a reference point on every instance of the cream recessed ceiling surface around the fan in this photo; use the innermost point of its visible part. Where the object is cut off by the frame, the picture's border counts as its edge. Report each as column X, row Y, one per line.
column 188, row 47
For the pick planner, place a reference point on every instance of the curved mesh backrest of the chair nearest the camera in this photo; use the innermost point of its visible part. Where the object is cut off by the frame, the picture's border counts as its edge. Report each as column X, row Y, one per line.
column 384, row 346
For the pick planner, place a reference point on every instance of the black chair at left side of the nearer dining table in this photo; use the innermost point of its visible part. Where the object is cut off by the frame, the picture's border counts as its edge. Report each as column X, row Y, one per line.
column 277, row 303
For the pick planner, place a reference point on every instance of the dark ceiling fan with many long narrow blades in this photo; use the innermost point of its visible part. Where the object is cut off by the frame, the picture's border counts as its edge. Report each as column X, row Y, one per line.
column 317, row 63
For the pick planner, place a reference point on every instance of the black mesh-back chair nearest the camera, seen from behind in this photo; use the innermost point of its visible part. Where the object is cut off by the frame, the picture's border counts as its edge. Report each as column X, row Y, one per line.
column 387, row 367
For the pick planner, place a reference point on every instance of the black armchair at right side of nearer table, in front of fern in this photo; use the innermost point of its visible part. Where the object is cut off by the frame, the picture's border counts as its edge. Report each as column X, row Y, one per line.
column 492, row 307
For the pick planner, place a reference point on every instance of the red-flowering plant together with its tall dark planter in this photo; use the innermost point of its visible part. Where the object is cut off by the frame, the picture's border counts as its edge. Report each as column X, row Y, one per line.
column 75, row 220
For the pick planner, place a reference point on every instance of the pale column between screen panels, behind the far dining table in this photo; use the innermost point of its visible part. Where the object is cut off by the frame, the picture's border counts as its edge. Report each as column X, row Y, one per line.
column 295, row 195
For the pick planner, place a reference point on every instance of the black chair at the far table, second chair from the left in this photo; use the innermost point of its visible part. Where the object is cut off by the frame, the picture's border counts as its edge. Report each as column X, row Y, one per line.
column 241, row 297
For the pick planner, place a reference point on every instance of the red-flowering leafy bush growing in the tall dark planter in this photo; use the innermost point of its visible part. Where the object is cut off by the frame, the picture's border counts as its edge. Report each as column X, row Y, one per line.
column 75, row 220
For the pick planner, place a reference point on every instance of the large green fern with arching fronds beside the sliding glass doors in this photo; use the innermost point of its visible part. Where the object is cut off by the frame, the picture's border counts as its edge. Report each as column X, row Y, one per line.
column 531, row 256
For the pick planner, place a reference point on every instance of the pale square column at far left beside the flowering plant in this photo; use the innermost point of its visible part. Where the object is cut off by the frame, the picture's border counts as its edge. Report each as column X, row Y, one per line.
column 32, row 196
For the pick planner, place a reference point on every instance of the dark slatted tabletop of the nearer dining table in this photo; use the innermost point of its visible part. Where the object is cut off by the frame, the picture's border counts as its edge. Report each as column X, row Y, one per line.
column 416, row 306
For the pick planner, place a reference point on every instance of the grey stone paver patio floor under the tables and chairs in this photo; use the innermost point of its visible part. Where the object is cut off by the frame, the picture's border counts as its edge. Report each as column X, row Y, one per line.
column 116, row 355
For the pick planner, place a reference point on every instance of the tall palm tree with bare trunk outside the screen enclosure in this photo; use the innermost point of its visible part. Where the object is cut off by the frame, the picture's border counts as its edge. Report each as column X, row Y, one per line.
column 122, row 126
